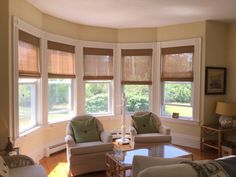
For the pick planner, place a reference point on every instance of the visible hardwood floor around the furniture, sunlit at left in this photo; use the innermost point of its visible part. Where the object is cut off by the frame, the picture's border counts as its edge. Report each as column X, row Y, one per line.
column 56, row 164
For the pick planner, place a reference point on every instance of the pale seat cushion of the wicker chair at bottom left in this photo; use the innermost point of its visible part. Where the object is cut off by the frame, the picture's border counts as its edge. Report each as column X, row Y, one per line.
column 28, row 171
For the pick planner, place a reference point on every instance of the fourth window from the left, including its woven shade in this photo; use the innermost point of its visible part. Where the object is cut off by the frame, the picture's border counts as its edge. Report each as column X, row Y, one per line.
column 137, row 78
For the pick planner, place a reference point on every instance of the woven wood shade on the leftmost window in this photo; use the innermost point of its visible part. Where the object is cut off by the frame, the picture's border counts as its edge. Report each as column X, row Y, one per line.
column 28, row 55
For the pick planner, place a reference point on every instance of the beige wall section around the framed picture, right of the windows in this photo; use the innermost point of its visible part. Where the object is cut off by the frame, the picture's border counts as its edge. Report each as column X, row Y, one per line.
column 216, row 55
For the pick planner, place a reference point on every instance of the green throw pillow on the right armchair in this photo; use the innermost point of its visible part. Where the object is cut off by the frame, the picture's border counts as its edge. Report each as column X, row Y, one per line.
column 144, row 123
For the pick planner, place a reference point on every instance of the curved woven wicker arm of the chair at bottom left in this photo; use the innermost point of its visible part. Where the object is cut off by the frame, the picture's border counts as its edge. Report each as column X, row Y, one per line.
column 16, row 161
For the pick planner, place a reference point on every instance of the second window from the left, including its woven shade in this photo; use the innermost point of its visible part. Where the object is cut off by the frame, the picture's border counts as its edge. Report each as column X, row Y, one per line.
column 61, row 73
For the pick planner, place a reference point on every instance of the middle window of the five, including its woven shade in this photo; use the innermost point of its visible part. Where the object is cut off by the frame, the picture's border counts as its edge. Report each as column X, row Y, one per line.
column 98, row 76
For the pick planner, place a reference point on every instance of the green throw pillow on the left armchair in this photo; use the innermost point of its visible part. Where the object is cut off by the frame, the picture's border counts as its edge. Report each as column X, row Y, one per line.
column 85, row 130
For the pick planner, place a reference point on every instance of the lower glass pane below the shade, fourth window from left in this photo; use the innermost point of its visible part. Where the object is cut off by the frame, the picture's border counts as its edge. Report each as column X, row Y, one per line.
column 137, row 97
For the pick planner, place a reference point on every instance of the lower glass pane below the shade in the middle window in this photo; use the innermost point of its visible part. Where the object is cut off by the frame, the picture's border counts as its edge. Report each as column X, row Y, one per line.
column 97, row 97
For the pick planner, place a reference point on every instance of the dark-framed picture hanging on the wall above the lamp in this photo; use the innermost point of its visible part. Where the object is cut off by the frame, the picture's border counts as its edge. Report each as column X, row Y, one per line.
column 215, row 82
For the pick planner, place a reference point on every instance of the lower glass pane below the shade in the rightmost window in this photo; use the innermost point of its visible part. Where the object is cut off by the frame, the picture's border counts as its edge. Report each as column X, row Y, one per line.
column 178, row 98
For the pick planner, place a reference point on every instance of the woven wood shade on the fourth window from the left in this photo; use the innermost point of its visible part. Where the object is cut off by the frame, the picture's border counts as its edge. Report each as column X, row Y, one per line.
column 136, row 66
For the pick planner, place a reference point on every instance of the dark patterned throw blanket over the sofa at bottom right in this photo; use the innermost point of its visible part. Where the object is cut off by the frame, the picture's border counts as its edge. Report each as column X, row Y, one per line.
column 215, row 168
